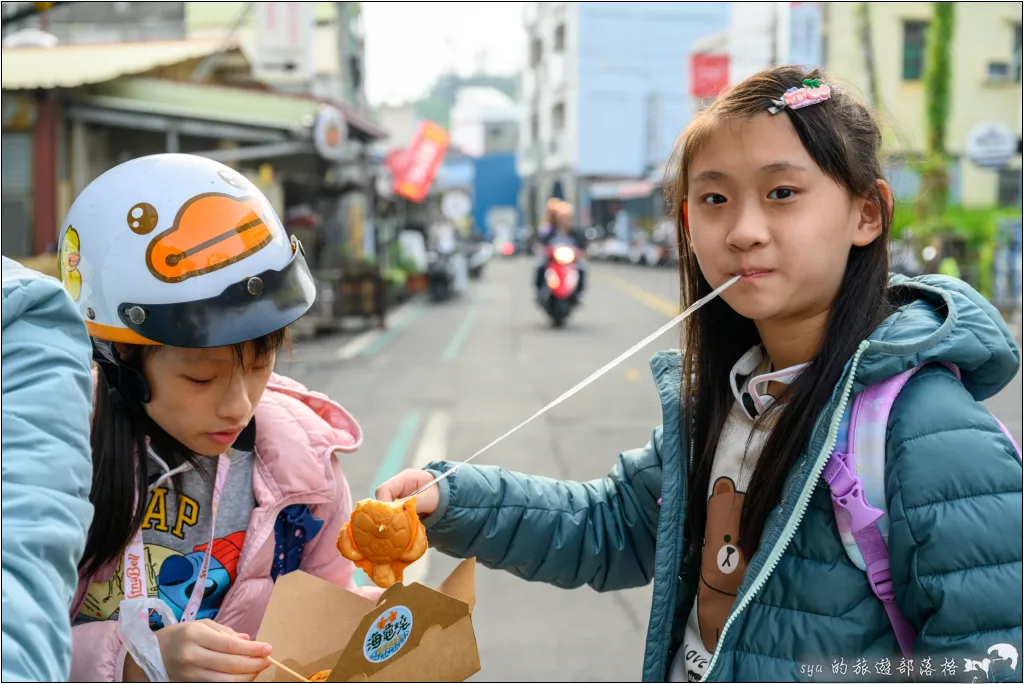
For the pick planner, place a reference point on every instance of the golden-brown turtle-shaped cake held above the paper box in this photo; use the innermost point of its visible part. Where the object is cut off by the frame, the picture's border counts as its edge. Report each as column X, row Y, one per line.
column 383, row 539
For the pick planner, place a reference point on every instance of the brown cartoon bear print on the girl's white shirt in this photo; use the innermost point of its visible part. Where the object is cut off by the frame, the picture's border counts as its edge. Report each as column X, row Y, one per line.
column 722, row 564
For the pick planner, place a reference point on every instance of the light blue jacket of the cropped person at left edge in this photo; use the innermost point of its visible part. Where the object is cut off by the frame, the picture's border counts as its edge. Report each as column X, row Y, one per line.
column 48, row 471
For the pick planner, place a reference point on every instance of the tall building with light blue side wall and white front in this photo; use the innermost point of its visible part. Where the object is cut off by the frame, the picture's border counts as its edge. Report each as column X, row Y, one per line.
column 606, row 93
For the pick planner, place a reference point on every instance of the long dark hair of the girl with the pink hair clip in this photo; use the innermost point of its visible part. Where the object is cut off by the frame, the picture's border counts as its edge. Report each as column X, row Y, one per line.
column 843, row 139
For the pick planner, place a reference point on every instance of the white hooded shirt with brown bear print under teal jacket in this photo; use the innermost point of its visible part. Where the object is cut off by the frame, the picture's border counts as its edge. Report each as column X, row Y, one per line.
column 722, row 564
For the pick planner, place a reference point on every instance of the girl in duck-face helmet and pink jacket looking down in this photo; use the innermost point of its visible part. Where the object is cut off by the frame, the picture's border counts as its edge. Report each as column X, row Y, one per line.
column 212, row 476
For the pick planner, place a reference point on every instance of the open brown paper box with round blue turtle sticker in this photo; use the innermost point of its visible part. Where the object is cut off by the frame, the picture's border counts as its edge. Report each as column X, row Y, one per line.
column 412, row 634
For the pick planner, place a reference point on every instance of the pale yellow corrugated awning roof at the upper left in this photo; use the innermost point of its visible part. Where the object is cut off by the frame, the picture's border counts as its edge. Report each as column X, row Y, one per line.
column 76, row 66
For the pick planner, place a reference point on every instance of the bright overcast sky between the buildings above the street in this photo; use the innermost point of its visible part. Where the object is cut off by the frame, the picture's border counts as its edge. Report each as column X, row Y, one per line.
column 409, row 45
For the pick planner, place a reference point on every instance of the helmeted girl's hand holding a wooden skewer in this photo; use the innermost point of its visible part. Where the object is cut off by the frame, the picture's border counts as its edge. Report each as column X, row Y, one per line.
column 205, row 652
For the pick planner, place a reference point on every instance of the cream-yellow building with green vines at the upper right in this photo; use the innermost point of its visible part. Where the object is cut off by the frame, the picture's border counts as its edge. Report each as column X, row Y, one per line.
column 987, row 87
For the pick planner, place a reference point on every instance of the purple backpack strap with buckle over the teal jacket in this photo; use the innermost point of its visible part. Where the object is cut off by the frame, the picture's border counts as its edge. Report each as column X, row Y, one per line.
column 875, row 404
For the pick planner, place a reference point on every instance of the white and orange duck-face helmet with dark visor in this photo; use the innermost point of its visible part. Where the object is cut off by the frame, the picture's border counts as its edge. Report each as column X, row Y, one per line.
column 184, row 251
